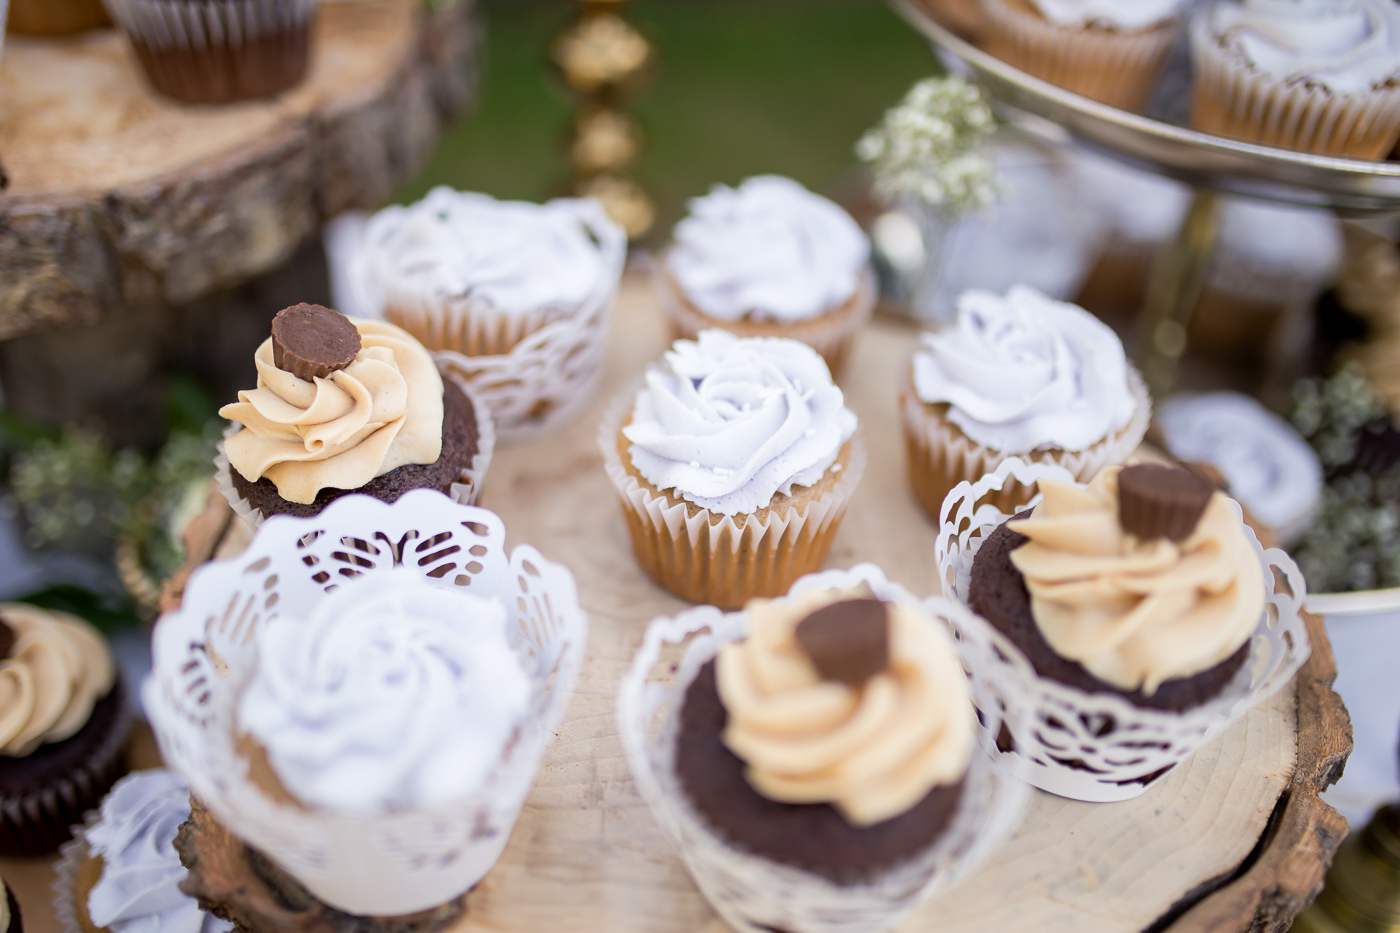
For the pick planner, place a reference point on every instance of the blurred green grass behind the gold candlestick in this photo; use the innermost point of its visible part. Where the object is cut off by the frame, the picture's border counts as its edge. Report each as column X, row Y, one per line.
column 743, row 88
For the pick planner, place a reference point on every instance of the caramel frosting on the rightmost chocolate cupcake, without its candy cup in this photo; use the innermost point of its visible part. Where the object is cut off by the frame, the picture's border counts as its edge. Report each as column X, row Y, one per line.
column 1137, row 613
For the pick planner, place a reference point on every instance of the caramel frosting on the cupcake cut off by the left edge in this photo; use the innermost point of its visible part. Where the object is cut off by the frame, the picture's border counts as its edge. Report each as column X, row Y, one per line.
column 57, row 669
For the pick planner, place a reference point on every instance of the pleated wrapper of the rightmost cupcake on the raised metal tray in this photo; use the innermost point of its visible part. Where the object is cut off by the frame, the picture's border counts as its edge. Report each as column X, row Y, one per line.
column 1233, row 99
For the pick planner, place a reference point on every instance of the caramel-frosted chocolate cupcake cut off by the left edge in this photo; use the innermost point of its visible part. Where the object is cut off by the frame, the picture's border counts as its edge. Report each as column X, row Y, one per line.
column 65, row 724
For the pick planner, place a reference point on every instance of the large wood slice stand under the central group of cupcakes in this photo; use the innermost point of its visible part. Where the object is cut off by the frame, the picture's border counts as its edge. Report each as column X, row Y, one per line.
column 1234, row 840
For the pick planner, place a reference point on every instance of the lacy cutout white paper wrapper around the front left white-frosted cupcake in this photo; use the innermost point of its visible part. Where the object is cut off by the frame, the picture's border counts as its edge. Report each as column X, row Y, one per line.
column 386, row 865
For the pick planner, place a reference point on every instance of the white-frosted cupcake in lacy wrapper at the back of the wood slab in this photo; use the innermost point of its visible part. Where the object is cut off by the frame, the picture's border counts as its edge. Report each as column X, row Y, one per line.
column 513, row 298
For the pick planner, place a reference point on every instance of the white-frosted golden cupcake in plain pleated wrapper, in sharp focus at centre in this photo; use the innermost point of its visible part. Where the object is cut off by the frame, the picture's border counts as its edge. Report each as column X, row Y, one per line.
column 734, row 466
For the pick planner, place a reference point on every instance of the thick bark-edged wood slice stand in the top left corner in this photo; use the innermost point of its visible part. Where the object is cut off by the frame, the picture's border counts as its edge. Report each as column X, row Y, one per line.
column 118, row 197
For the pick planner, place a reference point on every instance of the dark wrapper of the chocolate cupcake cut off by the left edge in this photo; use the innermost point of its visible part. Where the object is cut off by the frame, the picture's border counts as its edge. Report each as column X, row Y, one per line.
column 41, row 822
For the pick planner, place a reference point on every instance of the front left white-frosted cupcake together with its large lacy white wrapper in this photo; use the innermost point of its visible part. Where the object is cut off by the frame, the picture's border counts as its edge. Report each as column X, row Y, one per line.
column 395, row 673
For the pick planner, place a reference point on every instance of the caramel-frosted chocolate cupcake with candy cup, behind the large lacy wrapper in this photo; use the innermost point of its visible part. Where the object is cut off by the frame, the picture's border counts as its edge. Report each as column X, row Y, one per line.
column 348, row 407
